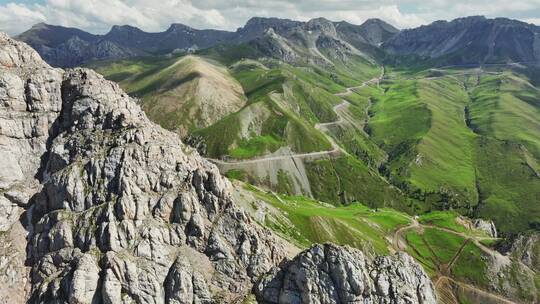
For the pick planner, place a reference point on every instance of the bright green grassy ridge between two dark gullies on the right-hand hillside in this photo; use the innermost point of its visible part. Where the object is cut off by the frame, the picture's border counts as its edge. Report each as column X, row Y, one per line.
column 444, row 160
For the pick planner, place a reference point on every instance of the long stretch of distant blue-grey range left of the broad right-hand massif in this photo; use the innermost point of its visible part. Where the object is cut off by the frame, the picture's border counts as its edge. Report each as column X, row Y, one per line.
column 67, row 47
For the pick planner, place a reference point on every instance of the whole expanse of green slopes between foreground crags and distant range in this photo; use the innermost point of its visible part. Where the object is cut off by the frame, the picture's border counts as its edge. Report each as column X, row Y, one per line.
column 401, row 161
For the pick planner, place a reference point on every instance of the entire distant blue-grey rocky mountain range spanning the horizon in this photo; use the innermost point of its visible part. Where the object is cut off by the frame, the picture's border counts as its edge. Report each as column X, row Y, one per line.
column 464, row 41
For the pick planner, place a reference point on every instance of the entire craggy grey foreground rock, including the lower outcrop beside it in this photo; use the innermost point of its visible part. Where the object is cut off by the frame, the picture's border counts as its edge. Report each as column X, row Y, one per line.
column 100, row 205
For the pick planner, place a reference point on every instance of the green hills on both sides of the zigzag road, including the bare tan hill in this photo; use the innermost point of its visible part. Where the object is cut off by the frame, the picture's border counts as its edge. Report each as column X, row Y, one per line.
column 425, row 139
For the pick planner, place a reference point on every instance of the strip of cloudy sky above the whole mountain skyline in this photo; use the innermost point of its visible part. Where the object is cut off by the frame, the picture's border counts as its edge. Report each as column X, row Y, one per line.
column 97, row 16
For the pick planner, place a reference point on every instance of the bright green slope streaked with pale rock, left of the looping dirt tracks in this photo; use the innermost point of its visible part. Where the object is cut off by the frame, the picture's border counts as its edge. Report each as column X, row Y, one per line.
column 316, row 222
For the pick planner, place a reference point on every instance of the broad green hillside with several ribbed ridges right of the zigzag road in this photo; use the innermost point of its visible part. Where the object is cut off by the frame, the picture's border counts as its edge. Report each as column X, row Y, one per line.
column 464, row 142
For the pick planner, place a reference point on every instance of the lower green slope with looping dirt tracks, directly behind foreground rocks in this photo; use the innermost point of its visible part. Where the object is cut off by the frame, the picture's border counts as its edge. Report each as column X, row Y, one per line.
column 442, row 242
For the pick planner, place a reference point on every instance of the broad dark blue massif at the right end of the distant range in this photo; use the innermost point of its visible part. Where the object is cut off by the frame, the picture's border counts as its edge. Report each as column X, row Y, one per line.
column 470, row 40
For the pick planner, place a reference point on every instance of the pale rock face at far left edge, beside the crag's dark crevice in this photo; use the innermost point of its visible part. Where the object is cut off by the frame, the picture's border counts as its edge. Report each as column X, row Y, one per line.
column 30, row 98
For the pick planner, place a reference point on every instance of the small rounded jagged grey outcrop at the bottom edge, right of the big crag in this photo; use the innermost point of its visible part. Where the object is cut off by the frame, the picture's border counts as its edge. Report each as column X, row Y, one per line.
column 332, row 274
